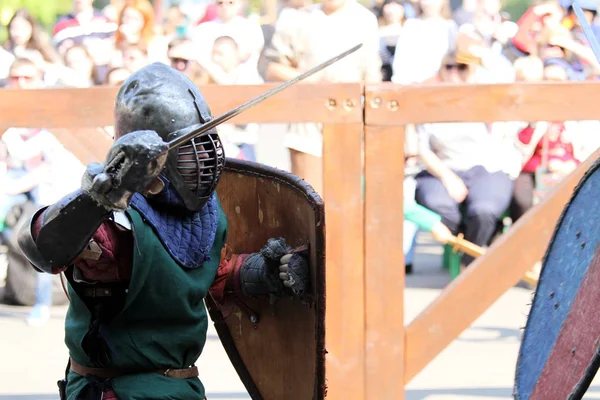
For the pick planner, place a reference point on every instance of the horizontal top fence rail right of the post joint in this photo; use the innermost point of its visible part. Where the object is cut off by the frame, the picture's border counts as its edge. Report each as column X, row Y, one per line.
column 389, row 104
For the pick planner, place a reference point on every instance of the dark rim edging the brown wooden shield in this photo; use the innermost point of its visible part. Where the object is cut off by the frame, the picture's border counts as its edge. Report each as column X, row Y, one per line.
column 298, row 184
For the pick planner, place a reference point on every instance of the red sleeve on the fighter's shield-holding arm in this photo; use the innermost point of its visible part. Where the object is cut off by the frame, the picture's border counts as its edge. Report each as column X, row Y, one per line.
column 227, row 279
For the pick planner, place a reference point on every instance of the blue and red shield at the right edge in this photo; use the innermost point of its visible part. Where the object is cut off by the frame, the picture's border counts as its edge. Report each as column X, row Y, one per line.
column 560, row 352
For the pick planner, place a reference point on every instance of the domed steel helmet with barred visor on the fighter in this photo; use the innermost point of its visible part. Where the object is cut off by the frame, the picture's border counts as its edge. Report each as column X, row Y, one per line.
column 162, row 99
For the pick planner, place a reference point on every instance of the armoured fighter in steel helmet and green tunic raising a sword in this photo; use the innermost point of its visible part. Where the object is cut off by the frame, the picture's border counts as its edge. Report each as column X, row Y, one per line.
column 143, row 242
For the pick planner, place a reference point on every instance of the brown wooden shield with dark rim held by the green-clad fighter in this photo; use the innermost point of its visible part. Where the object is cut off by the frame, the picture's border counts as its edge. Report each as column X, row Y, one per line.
column 277, row 350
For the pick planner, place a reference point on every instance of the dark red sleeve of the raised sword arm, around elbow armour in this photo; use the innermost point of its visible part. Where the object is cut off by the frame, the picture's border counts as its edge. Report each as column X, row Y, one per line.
column 108, row 257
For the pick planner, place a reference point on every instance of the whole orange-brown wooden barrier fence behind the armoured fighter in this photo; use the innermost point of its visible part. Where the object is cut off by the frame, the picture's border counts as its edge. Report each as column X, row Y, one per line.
column 369, row 349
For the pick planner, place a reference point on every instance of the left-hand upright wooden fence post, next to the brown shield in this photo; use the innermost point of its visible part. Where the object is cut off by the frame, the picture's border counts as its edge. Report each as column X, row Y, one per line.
column 345, row 320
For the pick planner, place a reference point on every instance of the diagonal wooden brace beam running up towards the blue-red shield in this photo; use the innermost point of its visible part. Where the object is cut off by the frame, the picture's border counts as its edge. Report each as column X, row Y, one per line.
column 491, row 275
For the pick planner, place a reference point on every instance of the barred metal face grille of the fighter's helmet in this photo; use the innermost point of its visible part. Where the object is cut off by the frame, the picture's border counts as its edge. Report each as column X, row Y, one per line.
column 200, row 162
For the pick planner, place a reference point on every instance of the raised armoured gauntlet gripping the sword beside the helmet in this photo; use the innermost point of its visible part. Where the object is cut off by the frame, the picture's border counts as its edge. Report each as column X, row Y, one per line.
column 132, row 163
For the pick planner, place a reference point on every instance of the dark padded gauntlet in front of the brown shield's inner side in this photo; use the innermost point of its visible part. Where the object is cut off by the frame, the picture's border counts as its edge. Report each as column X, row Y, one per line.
column 273, row 271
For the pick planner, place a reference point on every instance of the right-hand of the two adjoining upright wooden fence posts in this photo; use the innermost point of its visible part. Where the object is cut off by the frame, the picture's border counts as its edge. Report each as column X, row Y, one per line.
column 384, row 262
